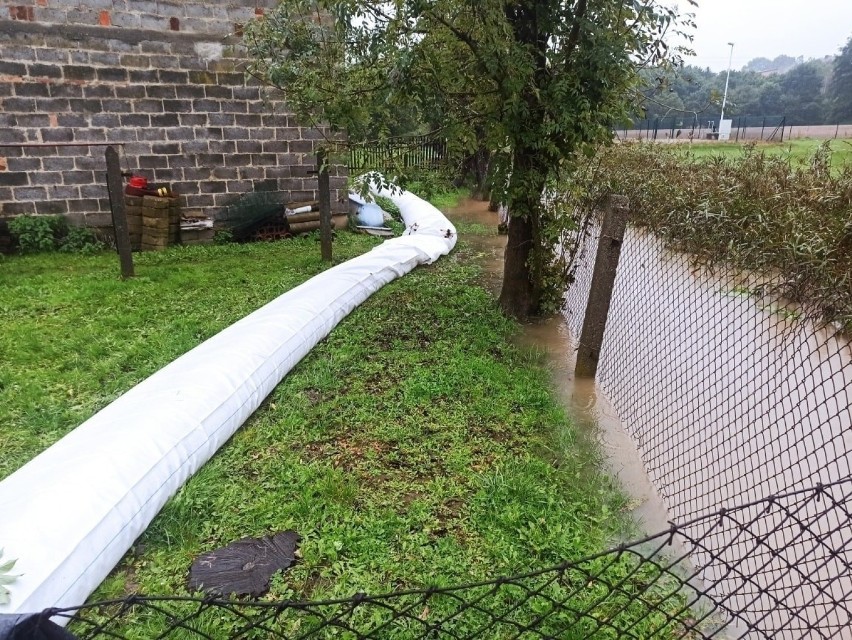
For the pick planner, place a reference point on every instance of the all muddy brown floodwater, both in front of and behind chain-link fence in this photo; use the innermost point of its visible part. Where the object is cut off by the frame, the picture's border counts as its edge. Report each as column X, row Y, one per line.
column 708, row 396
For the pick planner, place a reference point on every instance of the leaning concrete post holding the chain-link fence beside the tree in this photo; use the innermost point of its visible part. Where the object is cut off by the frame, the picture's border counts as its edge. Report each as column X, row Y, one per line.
column 616, row 211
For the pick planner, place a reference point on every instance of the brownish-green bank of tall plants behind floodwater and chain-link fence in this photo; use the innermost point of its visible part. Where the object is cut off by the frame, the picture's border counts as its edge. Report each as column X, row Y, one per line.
column 788, row 223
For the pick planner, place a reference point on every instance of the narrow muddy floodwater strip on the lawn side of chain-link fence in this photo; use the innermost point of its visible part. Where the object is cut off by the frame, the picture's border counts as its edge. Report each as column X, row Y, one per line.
column 587, row 405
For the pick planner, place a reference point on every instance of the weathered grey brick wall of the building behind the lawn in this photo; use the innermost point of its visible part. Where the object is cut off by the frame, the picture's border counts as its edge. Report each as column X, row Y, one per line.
column 163, row 79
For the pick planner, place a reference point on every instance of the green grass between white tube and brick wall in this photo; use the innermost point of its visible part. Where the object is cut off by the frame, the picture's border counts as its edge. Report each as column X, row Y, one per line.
column 75, row 336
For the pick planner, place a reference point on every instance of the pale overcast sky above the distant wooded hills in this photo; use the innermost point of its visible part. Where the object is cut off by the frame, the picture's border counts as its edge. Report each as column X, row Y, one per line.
column 767, row 28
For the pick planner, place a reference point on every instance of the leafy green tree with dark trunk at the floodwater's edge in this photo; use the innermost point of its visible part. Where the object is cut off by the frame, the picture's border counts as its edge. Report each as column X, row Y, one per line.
column 543, row 81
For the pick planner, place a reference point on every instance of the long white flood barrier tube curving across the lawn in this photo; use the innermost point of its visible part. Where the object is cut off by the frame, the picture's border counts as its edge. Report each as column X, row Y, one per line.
column 70, row 514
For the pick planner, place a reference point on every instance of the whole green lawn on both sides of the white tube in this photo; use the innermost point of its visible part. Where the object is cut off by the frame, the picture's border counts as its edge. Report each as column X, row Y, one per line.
column 415, row 446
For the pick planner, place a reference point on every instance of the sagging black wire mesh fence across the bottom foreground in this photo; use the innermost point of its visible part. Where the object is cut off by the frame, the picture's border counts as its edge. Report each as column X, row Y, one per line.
column 696, row 580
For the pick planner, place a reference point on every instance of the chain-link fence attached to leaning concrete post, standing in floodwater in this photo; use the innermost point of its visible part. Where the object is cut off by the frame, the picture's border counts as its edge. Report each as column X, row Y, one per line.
column 730, row 392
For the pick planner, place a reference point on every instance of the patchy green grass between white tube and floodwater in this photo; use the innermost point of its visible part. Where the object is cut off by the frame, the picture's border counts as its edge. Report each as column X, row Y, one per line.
column 414, row 445
